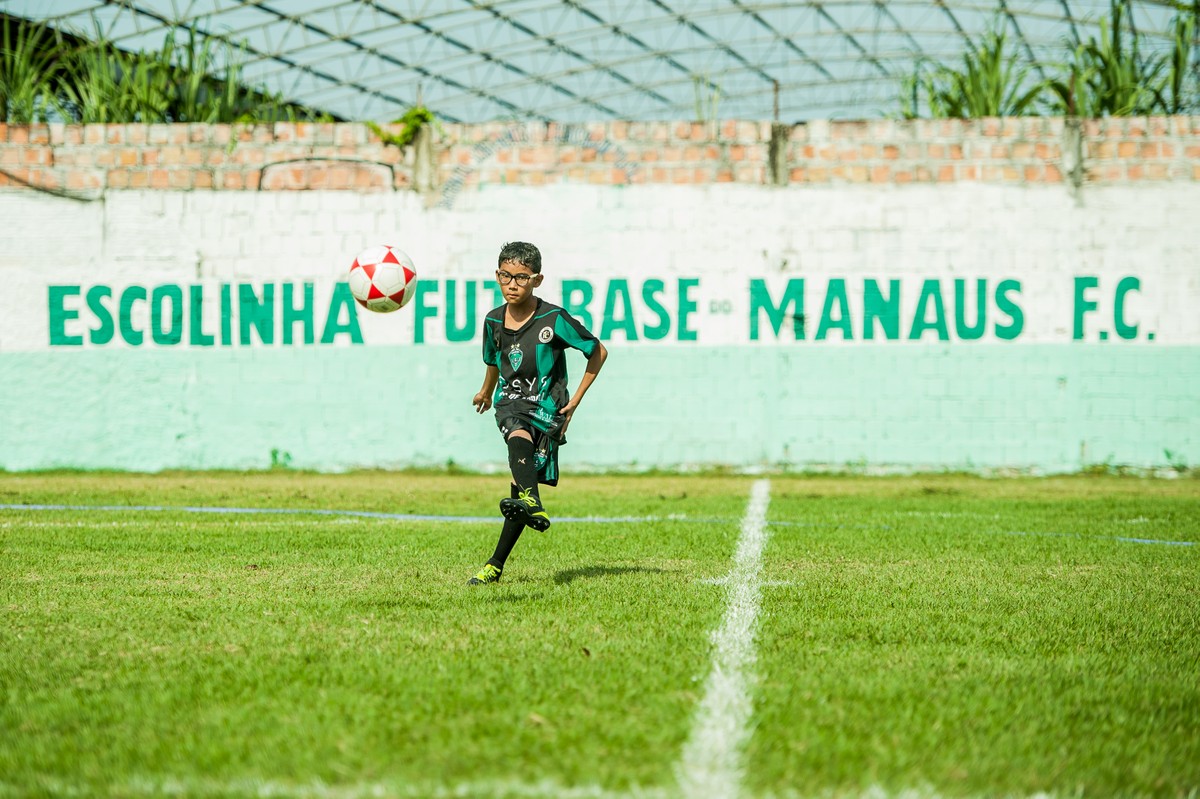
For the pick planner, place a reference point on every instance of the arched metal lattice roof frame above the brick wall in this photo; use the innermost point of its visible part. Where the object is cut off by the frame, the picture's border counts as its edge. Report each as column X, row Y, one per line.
column 583, row 61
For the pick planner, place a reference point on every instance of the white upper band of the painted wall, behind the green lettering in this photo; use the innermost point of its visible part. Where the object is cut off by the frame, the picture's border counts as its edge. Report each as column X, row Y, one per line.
column 722, row 237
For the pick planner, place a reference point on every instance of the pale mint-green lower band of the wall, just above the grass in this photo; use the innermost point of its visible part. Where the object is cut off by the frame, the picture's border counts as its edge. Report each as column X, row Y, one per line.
column 1046, row 407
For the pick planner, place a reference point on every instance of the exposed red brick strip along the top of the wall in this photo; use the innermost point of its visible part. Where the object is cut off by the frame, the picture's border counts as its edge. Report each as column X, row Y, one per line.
column 91, row 159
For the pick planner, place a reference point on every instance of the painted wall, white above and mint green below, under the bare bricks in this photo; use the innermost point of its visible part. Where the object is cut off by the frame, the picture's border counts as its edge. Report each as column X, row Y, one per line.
column 704, row 393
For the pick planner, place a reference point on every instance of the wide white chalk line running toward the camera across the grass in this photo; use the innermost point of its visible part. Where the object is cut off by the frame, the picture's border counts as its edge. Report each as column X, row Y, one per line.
column 711, row 766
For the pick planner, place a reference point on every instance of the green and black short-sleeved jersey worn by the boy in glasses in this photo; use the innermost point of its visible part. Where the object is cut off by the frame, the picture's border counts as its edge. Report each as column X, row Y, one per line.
column 533, row 365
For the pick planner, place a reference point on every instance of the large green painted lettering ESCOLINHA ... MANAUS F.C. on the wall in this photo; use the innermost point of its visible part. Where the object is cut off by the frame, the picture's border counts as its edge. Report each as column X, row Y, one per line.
column 651, row 310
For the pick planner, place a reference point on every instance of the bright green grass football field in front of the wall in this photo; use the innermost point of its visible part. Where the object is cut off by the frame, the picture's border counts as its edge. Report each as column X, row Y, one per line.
column 909, row 636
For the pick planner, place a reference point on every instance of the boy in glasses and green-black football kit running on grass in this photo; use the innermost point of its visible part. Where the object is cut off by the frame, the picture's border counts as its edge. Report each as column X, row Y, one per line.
column 525, row 344
